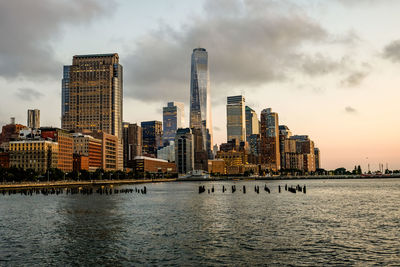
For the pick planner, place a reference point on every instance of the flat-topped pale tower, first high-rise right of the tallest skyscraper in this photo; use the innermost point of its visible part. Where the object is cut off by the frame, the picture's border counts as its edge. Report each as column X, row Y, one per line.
column 236, row 118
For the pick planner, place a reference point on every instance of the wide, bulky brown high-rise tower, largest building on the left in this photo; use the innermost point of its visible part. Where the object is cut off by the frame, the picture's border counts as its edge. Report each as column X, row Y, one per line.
column 92, row 94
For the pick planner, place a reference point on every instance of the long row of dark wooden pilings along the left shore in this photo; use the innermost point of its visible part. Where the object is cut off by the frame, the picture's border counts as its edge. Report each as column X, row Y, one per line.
column 103, row 190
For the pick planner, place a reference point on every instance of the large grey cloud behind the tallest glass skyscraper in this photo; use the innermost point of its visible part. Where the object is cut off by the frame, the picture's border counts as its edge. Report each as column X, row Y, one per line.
column 250, row 43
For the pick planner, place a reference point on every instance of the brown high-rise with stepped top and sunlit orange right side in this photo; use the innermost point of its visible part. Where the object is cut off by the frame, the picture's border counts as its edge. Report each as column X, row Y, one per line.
column 270, row 155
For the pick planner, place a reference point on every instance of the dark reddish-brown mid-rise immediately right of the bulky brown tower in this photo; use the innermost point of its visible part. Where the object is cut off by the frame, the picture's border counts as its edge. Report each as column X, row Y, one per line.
column 133, row 143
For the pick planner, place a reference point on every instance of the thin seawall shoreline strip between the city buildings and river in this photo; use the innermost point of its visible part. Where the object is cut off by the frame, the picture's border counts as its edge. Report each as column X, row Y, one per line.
column 60, row 184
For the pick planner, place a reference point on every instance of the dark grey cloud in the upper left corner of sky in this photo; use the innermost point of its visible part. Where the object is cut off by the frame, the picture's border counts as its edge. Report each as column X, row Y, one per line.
column 27, row 28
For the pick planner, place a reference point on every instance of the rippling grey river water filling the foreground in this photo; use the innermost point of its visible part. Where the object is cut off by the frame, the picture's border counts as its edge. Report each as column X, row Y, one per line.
column 338, row 222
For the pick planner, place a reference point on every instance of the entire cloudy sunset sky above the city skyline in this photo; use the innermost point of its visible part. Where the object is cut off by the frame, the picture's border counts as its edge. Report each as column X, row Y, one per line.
column 329, row 68
